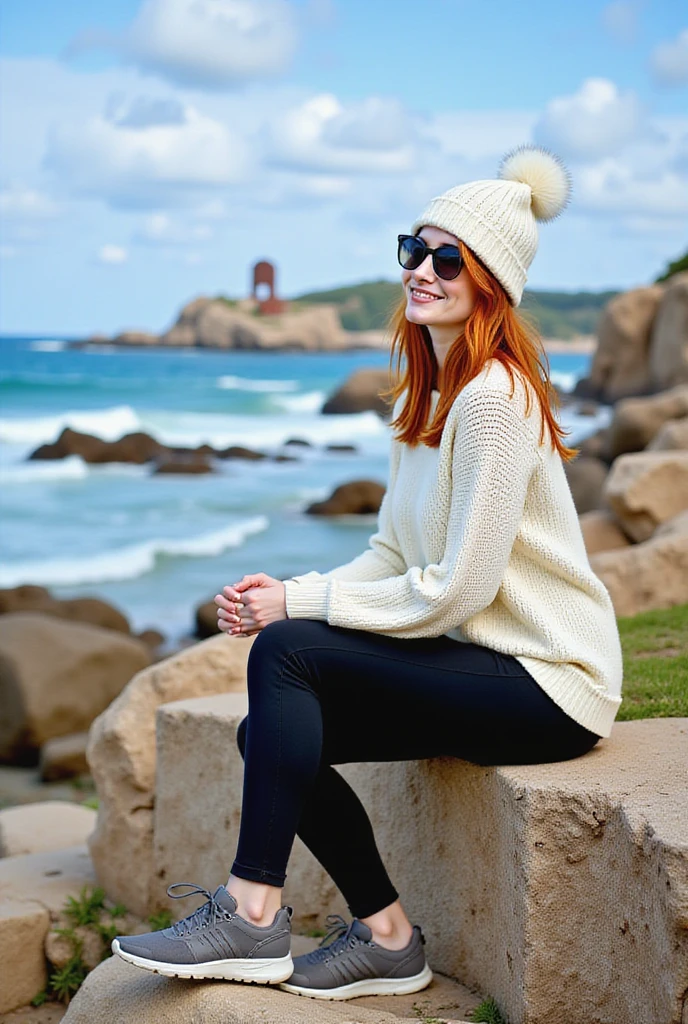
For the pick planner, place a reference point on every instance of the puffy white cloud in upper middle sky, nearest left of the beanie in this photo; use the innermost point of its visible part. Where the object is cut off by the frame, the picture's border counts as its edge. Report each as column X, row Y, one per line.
column 373, row 137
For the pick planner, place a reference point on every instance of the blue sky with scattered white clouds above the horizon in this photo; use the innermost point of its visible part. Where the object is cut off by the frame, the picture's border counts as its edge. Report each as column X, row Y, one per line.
column 153, row 150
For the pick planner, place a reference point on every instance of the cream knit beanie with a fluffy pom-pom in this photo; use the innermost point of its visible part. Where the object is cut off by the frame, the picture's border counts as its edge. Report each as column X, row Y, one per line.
column 498, row 219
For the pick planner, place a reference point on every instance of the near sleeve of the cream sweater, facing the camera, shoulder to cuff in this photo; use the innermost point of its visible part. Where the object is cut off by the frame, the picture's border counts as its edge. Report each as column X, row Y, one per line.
column 494, row 455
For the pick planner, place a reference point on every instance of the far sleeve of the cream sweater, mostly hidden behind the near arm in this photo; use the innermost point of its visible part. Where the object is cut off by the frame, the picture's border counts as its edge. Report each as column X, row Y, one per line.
column 382, row 559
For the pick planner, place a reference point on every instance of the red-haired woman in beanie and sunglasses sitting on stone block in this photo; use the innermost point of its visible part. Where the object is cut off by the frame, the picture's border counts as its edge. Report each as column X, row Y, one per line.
column 472, row 626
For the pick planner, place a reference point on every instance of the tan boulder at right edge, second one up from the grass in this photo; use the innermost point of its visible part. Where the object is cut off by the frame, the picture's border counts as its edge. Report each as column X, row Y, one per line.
column 646, row 489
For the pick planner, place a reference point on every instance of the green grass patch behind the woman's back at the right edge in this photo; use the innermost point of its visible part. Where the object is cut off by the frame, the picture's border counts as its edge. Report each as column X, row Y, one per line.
column 656, row 664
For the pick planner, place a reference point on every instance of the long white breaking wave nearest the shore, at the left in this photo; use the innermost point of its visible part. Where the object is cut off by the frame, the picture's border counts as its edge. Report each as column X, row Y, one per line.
column 131, row 563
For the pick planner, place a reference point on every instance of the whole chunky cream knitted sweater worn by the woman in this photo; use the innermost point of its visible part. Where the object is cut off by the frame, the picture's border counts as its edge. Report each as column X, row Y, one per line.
column 480, row 540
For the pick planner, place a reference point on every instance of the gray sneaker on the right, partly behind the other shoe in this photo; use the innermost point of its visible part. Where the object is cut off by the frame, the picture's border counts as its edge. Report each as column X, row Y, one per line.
column 355, row 965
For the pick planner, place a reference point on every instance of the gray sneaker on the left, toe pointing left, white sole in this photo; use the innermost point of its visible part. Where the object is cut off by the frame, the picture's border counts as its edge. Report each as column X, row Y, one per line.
column 214, row 943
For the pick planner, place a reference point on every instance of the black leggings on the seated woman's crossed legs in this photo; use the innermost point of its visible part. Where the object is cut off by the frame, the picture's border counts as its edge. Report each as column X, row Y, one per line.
column 321, row 696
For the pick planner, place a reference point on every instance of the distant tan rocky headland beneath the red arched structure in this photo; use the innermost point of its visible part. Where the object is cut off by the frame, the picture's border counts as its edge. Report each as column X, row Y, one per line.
column 216, row 324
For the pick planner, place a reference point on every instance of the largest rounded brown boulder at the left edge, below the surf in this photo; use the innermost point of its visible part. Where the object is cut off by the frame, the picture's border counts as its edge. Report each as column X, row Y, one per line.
column 56, row 677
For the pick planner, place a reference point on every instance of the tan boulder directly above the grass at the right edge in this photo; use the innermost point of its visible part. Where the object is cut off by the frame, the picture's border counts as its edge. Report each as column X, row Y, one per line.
column 649, row 576
